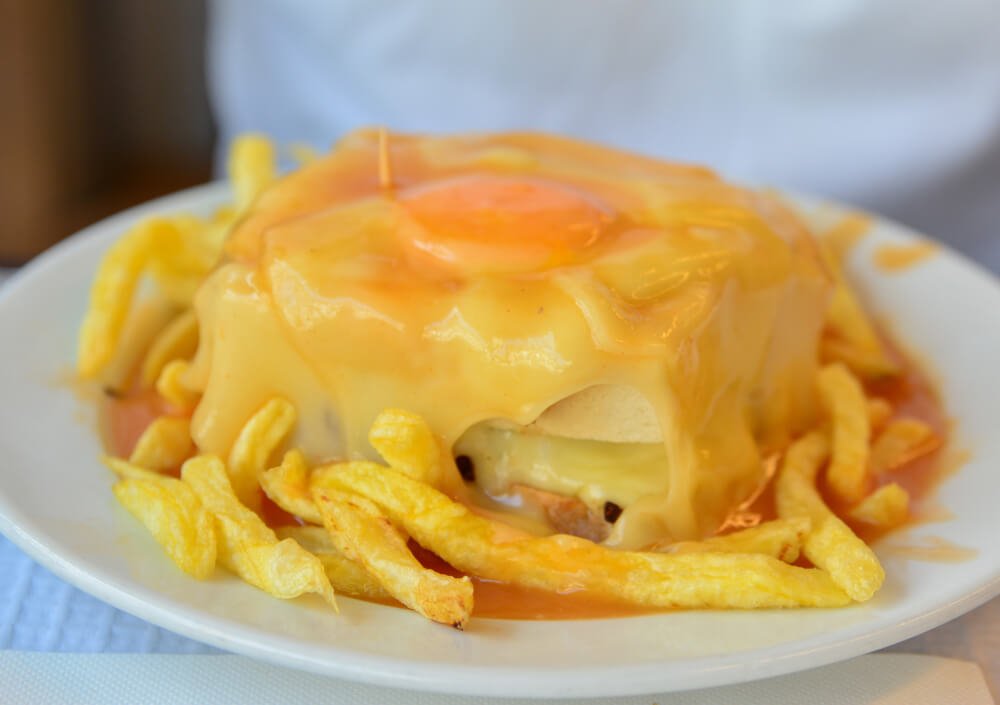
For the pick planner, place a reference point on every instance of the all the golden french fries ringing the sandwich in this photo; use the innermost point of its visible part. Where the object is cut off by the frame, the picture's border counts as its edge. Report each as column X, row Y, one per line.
column 358, row 519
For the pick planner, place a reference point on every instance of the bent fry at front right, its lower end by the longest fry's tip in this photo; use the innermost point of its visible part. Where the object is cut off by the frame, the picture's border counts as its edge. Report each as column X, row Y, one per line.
column 830, row 544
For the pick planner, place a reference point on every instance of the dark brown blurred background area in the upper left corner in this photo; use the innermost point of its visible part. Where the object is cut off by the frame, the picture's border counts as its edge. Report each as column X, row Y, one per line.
column 102, row 105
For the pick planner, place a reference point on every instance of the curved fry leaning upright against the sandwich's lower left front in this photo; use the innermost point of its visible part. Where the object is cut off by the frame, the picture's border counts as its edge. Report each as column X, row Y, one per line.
column 258, row 440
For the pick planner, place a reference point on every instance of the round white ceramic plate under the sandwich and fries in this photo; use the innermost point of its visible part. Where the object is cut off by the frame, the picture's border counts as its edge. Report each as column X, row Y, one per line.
column 56, row 504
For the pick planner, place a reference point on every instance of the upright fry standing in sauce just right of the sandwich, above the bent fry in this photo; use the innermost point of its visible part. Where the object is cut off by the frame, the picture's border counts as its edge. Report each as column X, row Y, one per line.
column 845, row 404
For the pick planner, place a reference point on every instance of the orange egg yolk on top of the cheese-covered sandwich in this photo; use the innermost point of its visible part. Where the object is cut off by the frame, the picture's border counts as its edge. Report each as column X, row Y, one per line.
column 502, row 223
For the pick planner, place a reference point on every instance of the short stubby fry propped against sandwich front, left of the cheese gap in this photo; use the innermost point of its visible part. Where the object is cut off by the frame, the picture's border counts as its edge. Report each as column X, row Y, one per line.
column 406, row 443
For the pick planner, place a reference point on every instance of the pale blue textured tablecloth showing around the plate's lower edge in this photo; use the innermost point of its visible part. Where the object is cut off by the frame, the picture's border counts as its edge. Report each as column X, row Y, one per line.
column 39, row 612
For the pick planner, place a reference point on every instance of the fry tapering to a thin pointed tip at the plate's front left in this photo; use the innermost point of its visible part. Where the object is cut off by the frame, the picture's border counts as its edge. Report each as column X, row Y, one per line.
column 247, row 546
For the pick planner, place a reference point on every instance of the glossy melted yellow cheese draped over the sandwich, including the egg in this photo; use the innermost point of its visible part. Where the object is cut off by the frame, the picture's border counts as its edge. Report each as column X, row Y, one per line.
column 500, row 275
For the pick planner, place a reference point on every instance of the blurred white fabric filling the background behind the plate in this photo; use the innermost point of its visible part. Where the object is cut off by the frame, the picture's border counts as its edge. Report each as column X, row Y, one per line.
column 893, row 105
